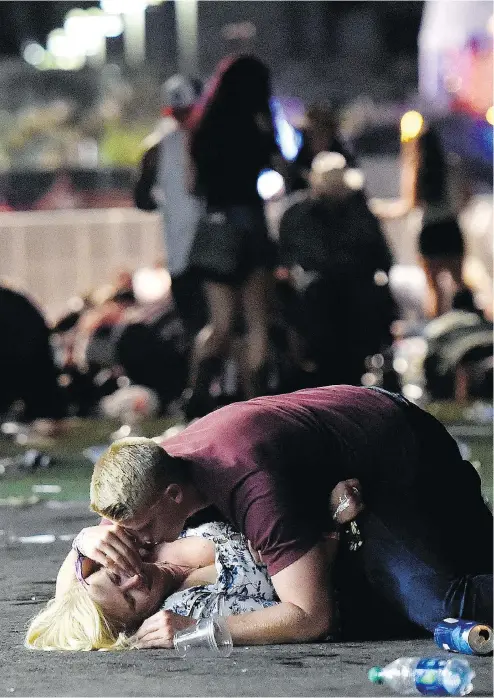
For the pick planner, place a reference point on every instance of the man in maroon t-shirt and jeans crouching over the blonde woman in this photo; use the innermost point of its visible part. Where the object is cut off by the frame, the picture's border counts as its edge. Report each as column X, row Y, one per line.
column 270, row 465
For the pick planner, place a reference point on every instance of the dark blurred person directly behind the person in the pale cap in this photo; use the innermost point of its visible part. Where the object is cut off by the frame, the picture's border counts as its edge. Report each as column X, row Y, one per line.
column 319, row 134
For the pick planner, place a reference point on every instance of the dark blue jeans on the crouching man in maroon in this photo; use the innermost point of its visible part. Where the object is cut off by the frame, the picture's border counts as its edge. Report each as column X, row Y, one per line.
column 426, row 556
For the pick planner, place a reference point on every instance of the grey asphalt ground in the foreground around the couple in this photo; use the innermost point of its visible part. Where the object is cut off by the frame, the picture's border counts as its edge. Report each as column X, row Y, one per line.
column 27, row 576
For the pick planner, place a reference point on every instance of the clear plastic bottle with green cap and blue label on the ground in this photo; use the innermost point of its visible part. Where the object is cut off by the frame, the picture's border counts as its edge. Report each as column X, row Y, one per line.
column 426, row 676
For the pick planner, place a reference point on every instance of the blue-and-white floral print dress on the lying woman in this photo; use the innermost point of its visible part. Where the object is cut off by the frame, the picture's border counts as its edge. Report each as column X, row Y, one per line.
column 242, row 585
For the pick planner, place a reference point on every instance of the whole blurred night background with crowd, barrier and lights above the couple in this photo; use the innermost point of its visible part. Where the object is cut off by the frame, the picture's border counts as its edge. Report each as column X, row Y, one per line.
column 203, row 202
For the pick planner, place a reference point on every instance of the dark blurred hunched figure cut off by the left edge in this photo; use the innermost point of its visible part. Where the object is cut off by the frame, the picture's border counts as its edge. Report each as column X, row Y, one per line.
column 27, row 368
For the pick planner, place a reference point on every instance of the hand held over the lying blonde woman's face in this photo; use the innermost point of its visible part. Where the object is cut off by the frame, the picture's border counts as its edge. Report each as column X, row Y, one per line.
column 110, row 546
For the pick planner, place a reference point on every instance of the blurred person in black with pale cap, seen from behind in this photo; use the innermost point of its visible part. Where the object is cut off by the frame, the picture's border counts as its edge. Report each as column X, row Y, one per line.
column 333, row 251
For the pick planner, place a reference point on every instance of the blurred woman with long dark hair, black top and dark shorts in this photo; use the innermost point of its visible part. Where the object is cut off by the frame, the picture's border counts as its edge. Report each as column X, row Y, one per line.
column 232, row 141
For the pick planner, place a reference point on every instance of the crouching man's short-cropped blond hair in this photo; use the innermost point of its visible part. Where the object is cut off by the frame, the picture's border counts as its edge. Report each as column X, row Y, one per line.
column 128, row 478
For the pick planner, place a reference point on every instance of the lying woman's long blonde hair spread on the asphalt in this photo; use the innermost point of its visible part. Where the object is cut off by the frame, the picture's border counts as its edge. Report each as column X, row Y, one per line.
column 74, row 622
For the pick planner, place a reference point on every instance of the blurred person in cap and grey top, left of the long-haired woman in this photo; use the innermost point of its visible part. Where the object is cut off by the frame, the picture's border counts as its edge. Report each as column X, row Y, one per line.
column 163, row 184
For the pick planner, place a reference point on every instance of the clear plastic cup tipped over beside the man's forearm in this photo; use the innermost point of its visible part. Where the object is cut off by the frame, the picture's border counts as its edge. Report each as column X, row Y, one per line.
column 209, row 637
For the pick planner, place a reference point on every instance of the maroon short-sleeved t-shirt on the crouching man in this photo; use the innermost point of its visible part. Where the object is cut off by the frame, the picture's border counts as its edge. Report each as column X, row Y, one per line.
column 269, row 464
